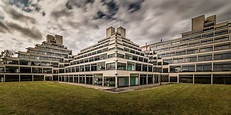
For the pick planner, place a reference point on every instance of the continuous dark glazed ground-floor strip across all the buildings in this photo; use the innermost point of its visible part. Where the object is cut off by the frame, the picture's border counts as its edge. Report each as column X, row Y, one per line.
column 123, row 81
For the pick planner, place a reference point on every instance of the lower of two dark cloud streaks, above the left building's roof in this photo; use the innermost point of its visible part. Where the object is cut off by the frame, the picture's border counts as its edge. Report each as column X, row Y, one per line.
column 33, row 32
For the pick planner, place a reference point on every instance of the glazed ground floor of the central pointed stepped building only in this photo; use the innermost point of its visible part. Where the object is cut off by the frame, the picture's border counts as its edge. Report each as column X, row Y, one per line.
column 111, row 81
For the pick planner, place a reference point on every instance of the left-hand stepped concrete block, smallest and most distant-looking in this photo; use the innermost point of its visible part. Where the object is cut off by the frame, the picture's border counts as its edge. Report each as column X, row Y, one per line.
column 42, row 62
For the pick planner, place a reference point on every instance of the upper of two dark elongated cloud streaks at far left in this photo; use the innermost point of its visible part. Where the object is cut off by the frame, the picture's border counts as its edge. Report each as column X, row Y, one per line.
column 19, row 16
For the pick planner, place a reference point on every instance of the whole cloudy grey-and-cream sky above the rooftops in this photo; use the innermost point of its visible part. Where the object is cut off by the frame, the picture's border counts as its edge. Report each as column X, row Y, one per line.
column 82, row 23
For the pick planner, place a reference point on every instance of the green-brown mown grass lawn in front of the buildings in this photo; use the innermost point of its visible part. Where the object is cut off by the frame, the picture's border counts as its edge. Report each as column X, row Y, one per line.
column 56, row 98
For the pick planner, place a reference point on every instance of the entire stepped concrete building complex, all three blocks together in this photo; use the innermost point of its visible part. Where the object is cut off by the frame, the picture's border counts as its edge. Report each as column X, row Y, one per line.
column 202, row 55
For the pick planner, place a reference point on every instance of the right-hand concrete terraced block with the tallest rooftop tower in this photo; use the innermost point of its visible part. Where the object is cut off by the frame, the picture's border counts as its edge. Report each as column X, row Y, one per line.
column 202, row 55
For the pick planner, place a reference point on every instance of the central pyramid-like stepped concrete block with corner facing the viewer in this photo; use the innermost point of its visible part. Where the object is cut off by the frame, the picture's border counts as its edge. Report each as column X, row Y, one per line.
column 114, row 61
